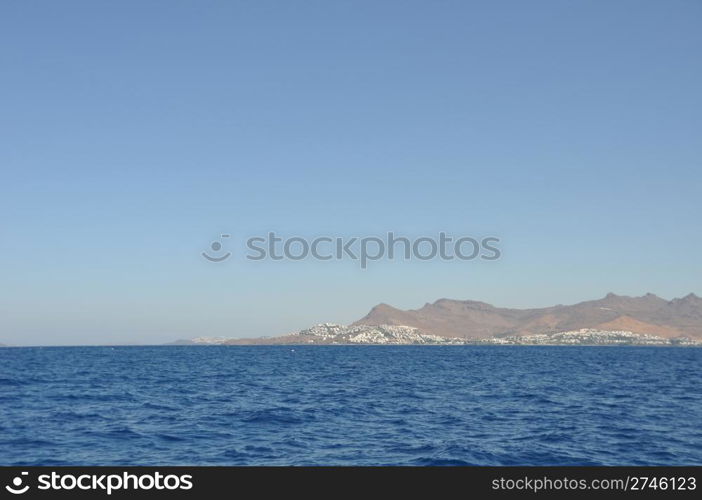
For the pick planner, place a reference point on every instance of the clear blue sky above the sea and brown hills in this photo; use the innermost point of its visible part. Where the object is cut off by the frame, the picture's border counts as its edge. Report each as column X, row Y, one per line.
column 133, row 133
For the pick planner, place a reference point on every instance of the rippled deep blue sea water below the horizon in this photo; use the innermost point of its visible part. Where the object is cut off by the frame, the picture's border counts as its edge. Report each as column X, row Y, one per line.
column 351, row 405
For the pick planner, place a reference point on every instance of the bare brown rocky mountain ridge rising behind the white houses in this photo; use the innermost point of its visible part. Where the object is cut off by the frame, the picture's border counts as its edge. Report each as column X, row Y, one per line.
column 469, row 319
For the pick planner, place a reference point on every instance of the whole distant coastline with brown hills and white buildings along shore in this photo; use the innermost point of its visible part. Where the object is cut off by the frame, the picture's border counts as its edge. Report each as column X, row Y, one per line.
column 612, row 320
